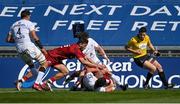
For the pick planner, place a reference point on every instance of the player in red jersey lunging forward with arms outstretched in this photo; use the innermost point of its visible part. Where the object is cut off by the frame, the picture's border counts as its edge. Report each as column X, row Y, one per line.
column 55, row 57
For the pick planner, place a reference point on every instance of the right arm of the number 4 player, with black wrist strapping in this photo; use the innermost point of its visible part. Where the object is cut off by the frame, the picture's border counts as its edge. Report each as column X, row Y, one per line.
column 37, row 41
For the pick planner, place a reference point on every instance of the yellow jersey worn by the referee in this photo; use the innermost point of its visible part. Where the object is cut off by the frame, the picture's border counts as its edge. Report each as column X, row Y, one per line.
column 136, row 44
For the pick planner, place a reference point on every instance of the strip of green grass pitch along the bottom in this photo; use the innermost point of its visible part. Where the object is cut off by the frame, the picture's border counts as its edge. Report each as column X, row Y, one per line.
column 66, row 96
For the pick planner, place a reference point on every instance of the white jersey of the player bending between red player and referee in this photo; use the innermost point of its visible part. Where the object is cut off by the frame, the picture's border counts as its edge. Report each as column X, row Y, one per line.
column 90, row 51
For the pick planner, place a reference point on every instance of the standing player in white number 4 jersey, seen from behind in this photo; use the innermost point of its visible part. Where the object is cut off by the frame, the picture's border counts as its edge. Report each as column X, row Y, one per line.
column 20, row 33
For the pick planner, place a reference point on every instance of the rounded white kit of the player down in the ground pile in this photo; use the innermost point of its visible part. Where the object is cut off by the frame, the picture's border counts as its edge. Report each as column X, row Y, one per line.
column 89, row 81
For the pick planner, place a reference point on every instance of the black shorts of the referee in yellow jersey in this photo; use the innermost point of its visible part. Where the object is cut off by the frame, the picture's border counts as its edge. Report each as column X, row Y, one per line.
column 140, row 61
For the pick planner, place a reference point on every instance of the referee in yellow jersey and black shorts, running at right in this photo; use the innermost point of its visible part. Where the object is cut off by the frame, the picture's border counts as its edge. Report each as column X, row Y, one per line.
column 138, row 45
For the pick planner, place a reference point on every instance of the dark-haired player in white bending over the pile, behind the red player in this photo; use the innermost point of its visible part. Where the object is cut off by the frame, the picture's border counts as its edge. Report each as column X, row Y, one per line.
column 90, row 52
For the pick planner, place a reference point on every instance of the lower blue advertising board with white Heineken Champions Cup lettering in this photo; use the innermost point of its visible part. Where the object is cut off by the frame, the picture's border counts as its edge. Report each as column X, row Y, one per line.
column 13, row 69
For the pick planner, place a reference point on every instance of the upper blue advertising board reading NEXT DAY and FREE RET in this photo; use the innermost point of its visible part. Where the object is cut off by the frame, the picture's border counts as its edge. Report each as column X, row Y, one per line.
column 114, row 20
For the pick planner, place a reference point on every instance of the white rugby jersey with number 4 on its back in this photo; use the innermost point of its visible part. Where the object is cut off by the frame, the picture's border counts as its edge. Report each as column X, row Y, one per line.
column 20, row 31
